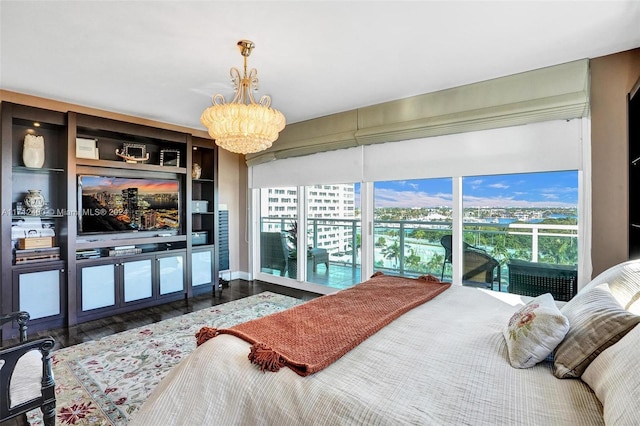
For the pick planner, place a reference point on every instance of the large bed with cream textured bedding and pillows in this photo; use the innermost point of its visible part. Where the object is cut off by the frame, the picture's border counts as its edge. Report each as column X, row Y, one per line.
column 444, row 362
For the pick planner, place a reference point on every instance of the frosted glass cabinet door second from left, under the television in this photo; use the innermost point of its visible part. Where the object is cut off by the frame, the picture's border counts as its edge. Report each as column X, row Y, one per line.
column 98, row 286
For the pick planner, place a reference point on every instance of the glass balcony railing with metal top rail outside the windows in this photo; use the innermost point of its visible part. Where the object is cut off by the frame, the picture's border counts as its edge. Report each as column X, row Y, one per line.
column 413, row 248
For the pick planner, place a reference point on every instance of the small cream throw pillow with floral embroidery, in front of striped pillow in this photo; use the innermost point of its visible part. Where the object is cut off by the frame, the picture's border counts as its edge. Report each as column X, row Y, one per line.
column 534, row 331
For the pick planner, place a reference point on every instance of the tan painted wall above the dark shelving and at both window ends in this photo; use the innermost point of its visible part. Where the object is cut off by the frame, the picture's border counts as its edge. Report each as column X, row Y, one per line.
column 612, row 77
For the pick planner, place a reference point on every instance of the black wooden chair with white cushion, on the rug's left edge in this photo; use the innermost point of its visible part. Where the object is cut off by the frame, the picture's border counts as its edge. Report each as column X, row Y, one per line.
column 26, row 377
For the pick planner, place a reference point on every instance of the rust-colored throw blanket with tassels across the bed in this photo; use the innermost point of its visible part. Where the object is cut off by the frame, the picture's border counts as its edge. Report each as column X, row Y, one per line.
column 310, row 336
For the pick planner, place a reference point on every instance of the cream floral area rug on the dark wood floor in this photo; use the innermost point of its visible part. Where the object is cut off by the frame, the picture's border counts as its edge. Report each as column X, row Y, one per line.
column 105, row 382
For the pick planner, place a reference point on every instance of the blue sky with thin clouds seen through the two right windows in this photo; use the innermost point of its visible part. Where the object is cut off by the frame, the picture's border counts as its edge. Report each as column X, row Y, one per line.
column 550, row 189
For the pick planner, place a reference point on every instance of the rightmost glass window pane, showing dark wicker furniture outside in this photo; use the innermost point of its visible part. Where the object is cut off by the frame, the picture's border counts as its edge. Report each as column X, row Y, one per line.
column 530, row 216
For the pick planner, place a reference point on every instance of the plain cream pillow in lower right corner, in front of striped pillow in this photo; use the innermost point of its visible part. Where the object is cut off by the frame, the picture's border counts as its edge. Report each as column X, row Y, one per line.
column 614, row 376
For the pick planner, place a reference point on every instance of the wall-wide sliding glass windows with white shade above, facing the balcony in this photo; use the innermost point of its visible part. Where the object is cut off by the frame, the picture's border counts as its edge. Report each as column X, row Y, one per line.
column 402, row 234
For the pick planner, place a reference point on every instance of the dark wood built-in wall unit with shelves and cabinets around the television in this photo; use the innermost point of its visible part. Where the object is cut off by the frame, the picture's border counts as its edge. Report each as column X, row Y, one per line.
column 59, row 185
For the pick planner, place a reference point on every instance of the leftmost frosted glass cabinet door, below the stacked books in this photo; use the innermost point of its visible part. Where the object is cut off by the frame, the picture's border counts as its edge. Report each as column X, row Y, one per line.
column 40, row 293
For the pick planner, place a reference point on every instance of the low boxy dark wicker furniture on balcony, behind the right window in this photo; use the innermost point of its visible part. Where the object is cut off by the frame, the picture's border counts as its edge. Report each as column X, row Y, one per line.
column 534, row 279
